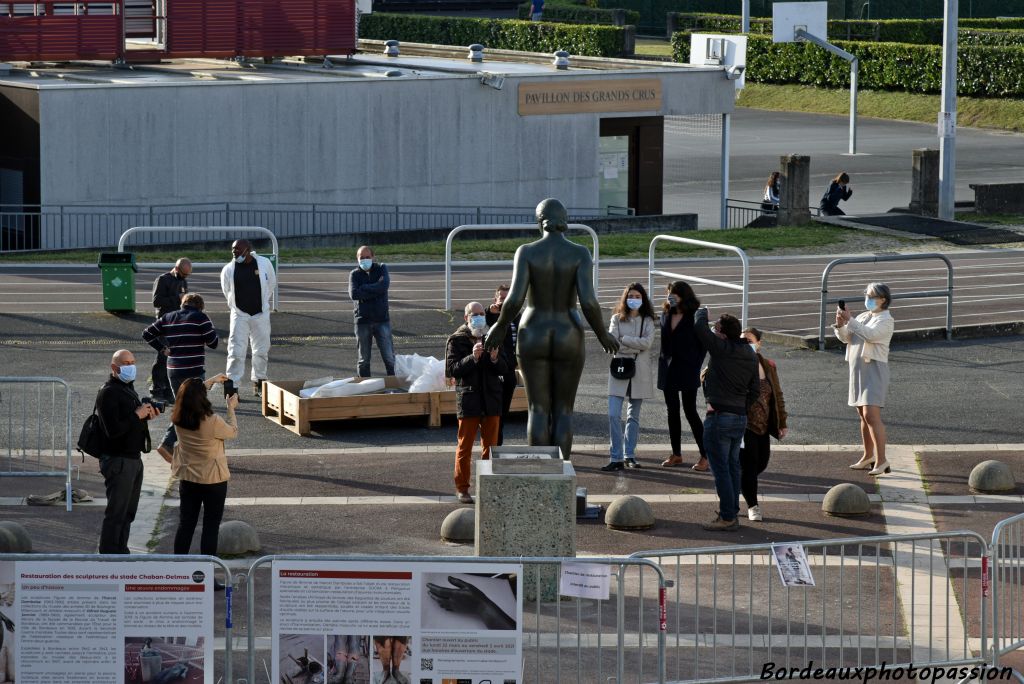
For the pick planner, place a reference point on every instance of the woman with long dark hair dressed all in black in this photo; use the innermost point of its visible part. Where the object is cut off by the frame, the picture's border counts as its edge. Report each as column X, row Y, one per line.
column 679, row 371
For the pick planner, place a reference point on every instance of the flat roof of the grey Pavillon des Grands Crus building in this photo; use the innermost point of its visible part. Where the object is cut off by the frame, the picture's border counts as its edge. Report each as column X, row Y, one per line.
column 416, row 62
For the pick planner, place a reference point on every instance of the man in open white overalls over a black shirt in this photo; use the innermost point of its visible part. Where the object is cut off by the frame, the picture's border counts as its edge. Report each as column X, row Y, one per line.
column 248, row 282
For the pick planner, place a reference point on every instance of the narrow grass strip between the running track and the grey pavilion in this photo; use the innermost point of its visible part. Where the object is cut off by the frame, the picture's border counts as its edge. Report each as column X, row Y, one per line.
column 619, row 246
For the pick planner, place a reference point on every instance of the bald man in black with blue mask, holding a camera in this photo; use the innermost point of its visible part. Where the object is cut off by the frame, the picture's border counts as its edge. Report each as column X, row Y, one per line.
column 123, row 417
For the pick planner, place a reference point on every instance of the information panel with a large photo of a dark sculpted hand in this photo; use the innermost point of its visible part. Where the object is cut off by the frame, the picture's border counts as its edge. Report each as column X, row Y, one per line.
column 398, row 623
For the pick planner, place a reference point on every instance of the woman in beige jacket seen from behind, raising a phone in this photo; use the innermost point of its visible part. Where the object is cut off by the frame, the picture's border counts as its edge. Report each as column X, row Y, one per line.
column 200, row 462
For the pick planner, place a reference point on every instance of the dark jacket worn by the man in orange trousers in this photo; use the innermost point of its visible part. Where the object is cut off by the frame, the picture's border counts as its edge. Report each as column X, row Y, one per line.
column 479, row 386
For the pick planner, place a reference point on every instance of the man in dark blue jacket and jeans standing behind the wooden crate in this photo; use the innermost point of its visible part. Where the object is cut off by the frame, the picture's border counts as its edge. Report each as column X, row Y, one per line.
column 368, row 286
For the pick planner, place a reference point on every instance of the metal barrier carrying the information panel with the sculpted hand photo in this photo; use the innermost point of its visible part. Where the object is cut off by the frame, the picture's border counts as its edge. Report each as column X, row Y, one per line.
column 620, row 639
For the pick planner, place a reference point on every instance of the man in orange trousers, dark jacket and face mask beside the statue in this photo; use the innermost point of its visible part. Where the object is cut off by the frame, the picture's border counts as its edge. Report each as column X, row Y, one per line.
column 479, row 393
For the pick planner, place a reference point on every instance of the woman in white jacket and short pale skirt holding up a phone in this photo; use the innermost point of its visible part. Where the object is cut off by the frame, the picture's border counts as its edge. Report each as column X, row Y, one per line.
column 867, row 339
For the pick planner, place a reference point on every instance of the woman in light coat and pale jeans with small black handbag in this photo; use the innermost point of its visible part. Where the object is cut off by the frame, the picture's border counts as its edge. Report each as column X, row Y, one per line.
column 633, row 326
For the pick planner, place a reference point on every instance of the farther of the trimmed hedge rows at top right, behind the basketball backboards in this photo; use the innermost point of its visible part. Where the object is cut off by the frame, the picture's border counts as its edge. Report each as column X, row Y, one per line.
column 922, row 32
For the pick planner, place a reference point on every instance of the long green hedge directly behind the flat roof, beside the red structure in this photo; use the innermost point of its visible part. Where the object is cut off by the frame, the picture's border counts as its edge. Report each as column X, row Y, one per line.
column 599, row 41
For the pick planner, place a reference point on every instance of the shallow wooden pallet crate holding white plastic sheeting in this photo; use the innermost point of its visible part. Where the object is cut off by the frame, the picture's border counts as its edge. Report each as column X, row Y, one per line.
column 283, row 405
